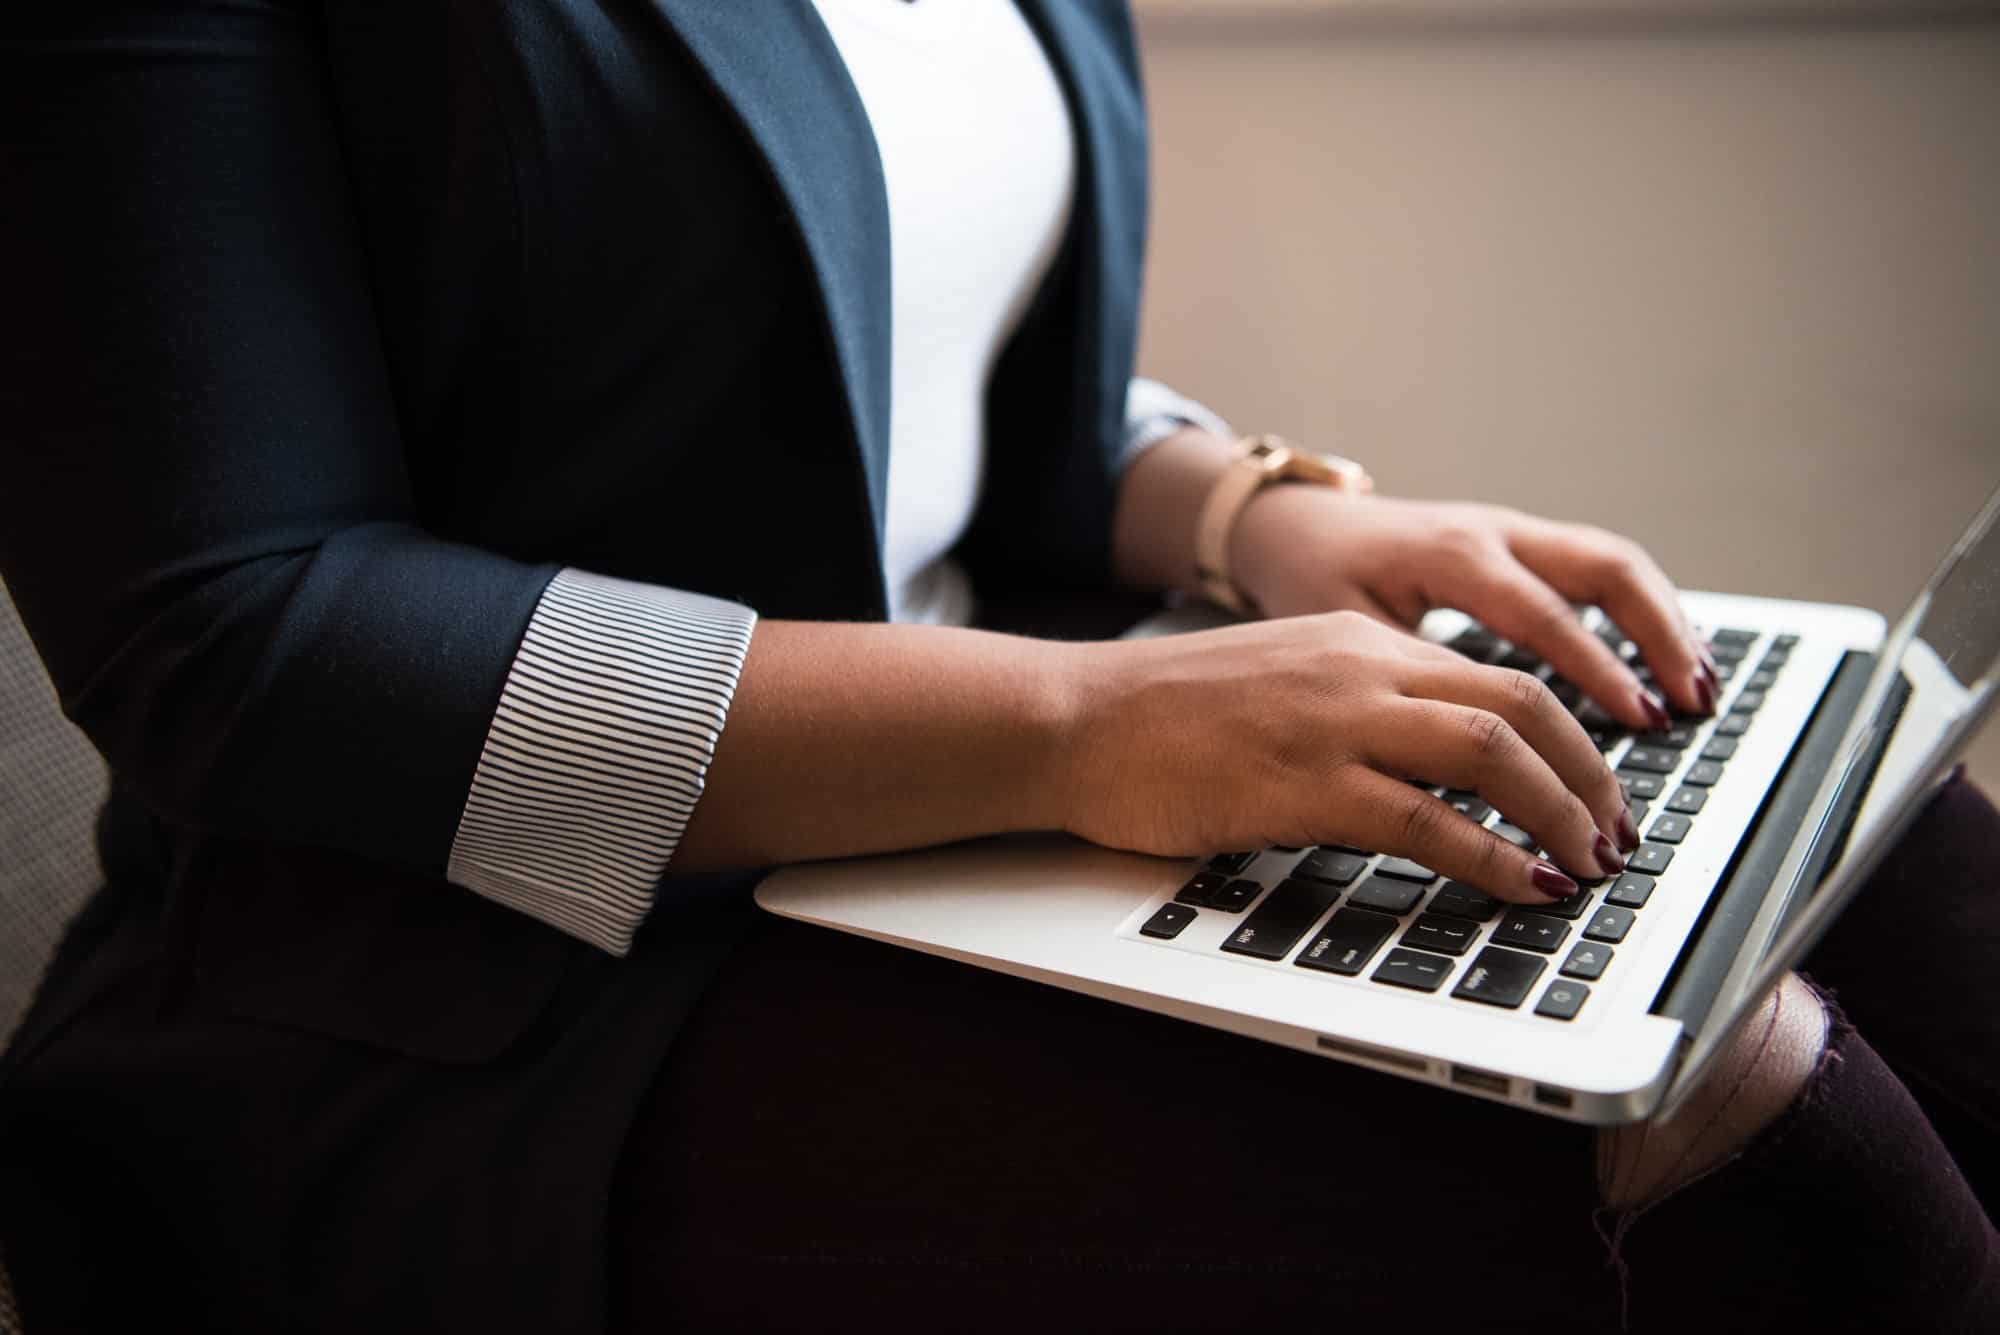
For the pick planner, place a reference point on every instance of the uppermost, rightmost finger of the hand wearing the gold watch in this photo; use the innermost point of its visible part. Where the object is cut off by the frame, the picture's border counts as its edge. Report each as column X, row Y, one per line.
column 1587, row 565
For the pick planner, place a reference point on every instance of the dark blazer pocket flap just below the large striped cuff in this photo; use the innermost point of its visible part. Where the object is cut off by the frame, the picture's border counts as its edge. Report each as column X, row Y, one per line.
column 367, row 952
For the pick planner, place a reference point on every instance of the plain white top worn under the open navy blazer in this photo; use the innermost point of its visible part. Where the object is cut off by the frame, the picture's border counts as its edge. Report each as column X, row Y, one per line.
column 981, row 169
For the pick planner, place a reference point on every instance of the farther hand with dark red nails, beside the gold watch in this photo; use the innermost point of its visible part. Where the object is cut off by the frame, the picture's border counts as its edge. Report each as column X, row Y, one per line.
column 1307, row 549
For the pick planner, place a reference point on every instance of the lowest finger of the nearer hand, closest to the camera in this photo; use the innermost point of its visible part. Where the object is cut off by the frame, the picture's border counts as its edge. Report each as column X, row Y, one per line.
column 1405, row 822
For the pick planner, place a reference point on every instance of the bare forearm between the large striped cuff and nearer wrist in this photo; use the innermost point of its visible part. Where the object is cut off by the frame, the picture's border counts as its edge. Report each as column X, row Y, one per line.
column 865, row 738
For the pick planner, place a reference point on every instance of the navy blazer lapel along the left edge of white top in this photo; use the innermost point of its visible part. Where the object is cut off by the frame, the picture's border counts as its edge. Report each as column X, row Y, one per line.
column 785, row 79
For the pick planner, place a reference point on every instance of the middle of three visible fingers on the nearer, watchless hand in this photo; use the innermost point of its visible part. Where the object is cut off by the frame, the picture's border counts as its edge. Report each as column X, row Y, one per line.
column 1479, row 750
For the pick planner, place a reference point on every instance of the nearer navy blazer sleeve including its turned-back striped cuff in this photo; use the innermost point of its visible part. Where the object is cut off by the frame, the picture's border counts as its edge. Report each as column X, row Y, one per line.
column 207, row 519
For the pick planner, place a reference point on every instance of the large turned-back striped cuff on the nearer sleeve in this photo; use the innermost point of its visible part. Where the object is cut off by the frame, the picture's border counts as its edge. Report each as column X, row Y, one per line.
column 599, row 752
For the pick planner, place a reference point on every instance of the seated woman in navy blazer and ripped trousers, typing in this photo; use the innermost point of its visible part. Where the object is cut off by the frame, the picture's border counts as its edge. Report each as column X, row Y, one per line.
column 463, row 463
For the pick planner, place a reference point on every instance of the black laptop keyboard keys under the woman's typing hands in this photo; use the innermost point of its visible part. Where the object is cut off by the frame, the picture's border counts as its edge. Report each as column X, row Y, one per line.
column 1351, row 912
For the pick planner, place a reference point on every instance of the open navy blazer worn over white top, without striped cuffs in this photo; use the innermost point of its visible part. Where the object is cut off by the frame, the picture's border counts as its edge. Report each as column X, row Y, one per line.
column 333, row 333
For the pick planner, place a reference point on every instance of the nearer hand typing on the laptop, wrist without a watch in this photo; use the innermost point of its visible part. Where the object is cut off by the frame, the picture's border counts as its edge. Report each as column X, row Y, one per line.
column 1309, row 730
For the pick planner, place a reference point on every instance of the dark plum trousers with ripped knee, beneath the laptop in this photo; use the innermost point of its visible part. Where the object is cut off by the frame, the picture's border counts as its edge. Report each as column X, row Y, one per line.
column 853, row 1136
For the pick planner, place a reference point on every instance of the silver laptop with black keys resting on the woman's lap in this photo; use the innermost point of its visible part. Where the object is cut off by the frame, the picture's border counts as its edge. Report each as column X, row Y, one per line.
column 1759, row 826
